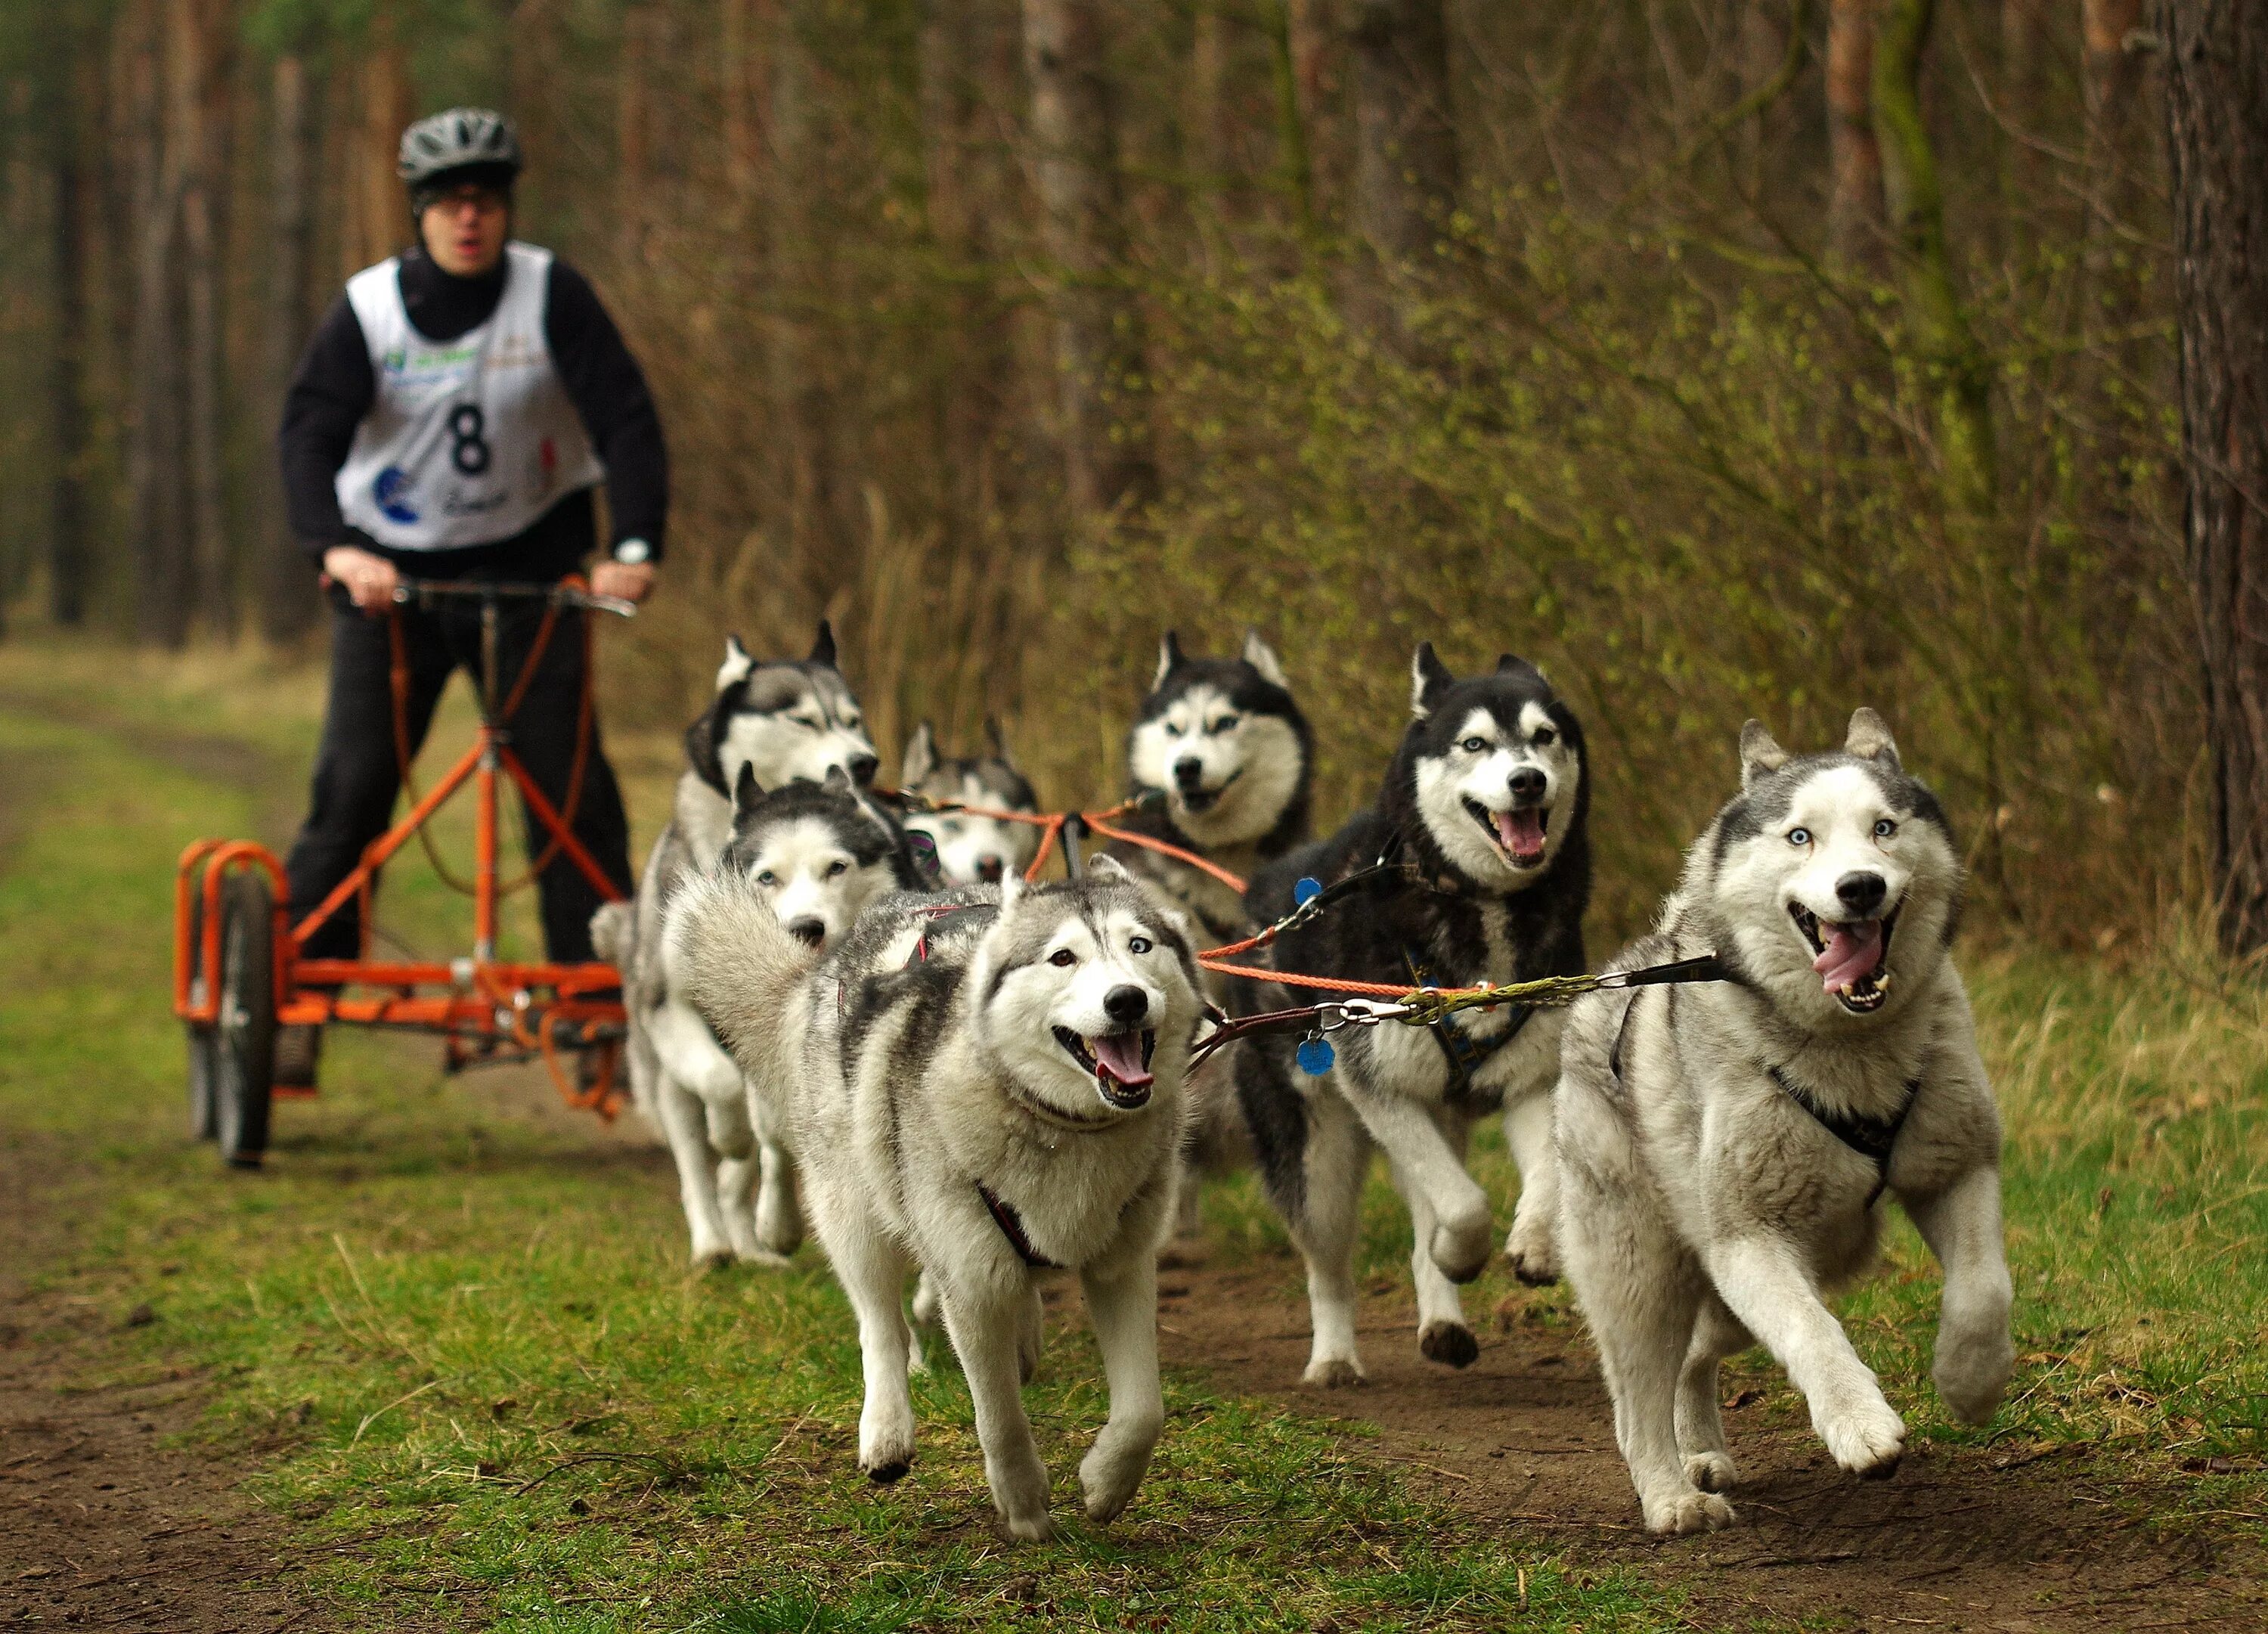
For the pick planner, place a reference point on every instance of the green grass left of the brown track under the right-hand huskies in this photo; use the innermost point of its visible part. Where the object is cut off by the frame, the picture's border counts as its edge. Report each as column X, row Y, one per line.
column 473, row 1365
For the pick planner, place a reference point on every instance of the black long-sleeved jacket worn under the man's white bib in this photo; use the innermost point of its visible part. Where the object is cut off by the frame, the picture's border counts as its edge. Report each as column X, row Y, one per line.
column 335, row 389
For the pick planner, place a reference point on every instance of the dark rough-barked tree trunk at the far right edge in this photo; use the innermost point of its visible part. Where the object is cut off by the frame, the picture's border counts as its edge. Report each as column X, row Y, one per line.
column 2217, row 137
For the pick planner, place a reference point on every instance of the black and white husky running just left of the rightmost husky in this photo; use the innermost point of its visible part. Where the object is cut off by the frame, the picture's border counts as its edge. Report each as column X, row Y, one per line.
column 1487, row 873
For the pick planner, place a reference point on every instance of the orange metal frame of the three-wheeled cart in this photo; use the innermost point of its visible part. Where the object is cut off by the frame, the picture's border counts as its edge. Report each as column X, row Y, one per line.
column 477, row 1004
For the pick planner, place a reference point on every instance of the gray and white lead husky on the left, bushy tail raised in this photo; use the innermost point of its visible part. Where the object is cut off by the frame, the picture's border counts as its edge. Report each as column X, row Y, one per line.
column 979, row 1084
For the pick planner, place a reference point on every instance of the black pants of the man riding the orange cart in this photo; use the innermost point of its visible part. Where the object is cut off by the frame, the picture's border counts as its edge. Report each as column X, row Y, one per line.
column 357, row 775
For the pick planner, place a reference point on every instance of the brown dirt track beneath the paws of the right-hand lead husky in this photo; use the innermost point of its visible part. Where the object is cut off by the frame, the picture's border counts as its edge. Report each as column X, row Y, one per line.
column 1958, row 1540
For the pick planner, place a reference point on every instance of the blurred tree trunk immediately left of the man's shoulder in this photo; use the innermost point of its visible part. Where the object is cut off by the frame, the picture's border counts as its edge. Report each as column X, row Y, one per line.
column 289, row 600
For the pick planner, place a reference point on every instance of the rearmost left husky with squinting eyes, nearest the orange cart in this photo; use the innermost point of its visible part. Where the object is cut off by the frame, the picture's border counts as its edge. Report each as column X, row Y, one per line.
column 779, row 723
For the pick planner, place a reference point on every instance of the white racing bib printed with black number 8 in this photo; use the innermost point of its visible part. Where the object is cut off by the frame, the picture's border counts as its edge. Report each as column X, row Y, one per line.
column 471, row 439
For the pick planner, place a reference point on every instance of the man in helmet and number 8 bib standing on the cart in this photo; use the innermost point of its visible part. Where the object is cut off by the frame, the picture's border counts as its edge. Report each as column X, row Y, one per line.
column 450, row 421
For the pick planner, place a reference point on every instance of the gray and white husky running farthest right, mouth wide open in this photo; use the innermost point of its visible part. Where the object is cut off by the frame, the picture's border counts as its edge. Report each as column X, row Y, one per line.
column 1723, row 1147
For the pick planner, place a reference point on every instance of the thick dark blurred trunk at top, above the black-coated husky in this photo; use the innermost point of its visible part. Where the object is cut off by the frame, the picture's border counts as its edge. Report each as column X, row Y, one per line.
column 1405, row 146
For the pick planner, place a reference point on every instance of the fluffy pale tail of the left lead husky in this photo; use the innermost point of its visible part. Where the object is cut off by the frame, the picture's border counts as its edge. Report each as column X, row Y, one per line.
column 743, row 970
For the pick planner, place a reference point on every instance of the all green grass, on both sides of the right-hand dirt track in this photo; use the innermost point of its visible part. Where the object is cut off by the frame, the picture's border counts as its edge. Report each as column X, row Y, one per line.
column 484, row 1388
